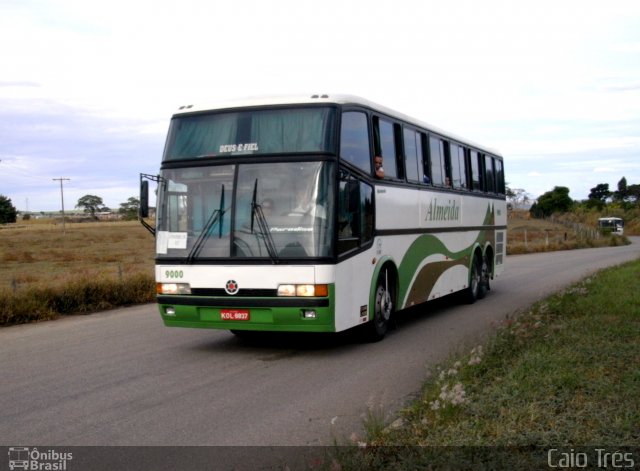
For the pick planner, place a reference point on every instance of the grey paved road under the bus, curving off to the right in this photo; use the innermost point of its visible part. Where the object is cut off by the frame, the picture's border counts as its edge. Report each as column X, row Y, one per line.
column 122, row 378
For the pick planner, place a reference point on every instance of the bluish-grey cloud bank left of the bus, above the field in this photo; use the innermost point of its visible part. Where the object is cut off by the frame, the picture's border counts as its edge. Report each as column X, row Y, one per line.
column 101, row 156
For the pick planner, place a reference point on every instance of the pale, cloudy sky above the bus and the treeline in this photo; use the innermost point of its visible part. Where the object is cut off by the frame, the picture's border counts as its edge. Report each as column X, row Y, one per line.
column 87, row 89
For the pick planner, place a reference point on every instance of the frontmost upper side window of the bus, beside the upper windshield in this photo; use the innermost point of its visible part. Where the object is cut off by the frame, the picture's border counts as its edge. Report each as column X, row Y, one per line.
column 354, row 140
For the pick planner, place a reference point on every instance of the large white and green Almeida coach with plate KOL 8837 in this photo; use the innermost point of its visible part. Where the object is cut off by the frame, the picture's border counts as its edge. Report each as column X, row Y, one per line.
column 272, row 216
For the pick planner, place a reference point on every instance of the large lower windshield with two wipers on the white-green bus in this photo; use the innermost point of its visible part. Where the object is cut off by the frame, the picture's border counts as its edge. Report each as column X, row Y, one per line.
column 270, row 210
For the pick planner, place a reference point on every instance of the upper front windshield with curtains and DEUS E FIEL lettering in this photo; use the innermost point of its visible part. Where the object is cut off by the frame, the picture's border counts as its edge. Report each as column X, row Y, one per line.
column 251, row 132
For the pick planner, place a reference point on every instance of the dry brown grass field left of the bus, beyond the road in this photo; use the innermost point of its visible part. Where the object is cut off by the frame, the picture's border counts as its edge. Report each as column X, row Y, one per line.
column 90, row 266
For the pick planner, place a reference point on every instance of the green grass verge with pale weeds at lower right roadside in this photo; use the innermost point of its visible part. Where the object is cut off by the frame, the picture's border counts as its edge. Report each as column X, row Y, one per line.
column 566, row 373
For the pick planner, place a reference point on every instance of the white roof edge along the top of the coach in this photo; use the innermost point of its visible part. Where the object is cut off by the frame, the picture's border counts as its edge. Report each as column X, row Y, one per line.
column 340, row 99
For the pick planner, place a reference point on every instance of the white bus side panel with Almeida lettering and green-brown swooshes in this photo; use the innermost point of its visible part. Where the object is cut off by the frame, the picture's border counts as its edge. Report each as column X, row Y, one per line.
column 449, row 227
